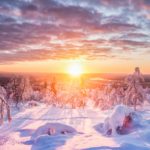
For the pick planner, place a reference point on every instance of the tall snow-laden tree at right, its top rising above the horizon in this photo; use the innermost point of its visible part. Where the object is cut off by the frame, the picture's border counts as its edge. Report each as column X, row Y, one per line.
column 134, row 93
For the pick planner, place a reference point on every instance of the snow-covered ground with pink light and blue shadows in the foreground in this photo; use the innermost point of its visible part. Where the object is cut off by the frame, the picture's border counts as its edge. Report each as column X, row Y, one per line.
column 44, row 127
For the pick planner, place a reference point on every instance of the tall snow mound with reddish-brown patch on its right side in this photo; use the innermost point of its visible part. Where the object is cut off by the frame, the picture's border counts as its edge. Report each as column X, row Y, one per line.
column 121, row 121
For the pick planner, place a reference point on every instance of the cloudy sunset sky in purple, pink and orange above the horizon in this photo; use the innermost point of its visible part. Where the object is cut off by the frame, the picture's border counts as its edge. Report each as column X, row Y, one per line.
column 48, row 35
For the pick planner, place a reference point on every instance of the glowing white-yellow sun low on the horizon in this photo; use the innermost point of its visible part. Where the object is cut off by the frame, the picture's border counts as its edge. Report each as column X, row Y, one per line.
column 75, row 69
